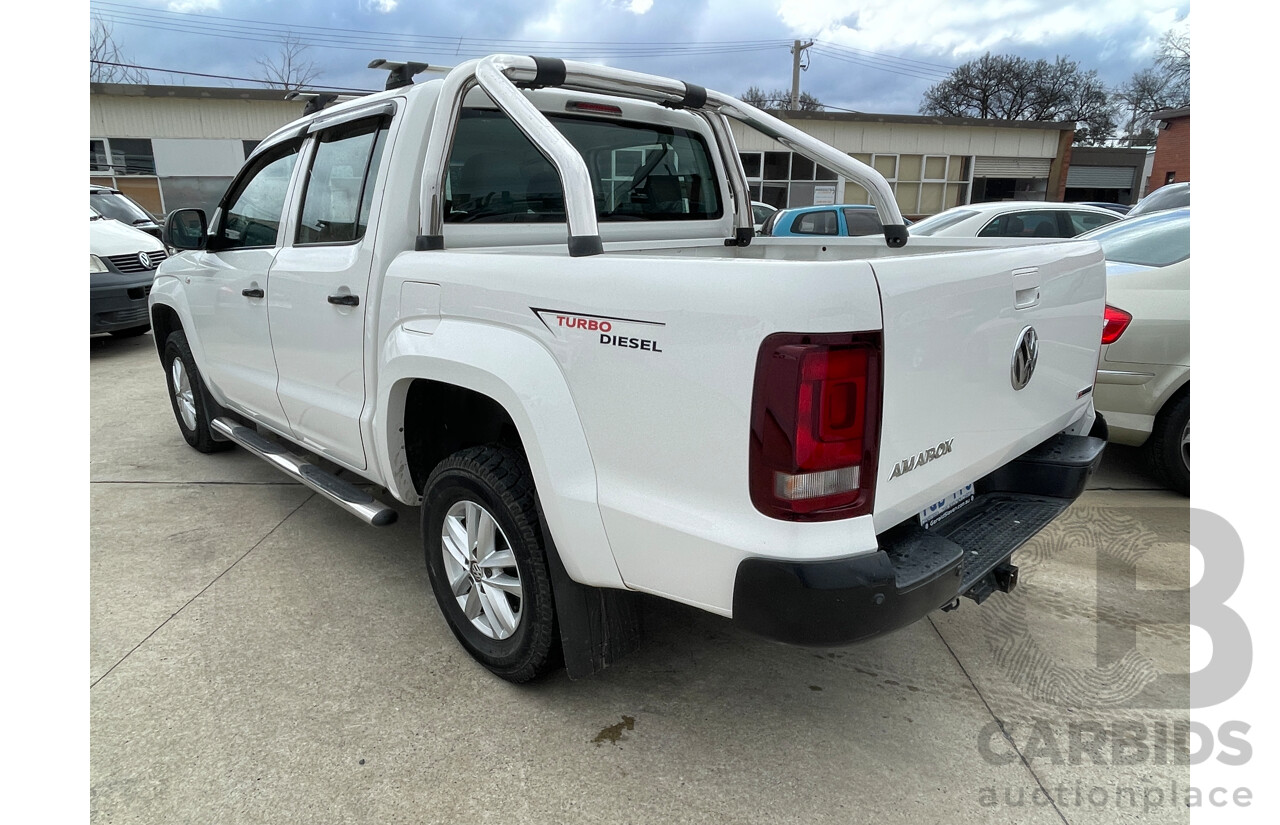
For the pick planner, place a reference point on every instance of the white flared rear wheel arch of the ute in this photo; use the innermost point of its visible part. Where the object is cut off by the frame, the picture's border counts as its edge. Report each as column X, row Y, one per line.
column 468, row 384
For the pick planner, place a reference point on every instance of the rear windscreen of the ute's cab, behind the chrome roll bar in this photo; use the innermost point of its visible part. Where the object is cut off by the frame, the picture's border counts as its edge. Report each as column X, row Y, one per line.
column 639, row 172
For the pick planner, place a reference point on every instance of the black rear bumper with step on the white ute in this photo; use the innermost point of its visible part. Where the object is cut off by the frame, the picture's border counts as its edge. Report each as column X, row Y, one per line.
column 917, row 571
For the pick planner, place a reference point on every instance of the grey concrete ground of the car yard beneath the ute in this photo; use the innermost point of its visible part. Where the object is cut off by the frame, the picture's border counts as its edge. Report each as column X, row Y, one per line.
column 259, row 657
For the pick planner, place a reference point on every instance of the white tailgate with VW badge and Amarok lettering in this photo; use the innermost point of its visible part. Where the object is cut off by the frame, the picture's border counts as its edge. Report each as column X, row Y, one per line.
column 954, row 326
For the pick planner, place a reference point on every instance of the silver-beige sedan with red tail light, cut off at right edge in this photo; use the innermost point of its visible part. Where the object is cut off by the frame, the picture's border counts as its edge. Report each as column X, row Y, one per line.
column 1144, row 387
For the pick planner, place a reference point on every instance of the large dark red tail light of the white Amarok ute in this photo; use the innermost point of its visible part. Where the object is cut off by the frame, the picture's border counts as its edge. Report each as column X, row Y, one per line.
column 816, row 425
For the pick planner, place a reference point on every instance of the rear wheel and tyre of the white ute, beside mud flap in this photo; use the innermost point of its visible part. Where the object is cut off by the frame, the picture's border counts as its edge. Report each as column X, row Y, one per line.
column 487, row 562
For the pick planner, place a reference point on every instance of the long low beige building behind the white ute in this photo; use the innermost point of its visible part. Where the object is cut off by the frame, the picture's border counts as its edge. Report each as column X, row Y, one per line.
column 176, row 146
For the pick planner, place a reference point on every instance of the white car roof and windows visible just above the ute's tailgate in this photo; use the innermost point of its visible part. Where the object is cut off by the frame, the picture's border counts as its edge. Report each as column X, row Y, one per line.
column 1016, row 219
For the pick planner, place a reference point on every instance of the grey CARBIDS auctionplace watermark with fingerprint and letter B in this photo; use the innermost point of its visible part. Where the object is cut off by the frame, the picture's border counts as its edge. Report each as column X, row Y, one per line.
column 1117, row 708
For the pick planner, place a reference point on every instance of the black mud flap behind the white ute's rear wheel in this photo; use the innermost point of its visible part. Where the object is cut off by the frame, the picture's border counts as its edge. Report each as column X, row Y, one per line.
column 598, row 626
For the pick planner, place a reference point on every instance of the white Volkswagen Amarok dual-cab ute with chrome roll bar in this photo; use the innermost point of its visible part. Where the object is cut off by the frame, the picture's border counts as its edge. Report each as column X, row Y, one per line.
column 527, row 296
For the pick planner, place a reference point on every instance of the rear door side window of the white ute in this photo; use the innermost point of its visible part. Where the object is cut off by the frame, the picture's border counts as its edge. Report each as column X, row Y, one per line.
column 340, row 187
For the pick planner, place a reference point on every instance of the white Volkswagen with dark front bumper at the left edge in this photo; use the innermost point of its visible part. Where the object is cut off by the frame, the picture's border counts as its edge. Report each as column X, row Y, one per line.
column 122, row 263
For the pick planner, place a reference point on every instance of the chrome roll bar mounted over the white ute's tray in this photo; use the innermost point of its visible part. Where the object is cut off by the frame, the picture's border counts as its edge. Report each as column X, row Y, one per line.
column 504, row 76
